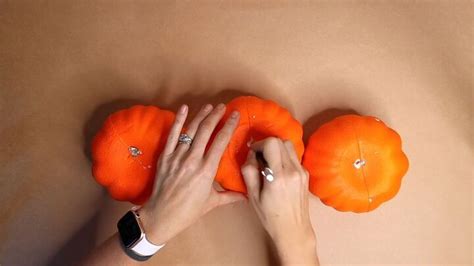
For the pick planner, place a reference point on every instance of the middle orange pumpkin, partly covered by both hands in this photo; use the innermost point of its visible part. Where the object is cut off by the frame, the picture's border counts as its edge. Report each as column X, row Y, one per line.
column 259, row 119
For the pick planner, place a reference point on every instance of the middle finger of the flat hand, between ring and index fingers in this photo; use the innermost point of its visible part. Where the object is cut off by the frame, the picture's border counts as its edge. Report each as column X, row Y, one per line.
column 205, row 130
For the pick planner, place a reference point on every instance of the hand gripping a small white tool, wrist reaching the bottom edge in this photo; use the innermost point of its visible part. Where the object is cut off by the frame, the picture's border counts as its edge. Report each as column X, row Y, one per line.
column 282, row 205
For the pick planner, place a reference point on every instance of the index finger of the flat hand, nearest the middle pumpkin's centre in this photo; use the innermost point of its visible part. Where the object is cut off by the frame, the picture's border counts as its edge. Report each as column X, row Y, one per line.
column 222, row 139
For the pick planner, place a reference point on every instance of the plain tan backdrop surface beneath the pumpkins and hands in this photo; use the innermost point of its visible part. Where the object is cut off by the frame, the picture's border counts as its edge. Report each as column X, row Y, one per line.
column 66, row 65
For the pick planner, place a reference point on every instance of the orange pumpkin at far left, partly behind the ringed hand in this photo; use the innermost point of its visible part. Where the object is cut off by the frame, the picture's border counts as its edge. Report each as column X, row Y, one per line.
column 126, row 149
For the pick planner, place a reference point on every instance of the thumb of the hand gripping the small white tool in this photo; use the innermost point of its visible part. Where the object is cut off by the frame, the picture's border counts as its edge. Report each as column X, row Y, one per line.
column 251, row 175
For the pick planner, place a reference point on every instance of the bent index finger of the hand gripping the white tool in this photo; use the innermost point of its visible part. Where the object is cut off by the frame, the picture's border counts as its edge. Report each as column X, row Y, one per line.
column 270, row 147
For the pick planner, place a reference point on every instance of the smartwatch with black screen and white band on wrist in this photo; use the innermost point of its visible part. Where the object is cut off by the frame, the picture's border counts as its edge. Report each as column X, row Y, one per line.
column 133, row 236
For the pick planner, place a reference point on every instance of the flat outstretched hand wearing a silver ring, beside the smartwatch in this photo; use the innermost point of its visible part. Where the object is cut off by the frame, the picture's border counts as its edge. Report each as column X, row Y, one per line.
column 183, row 189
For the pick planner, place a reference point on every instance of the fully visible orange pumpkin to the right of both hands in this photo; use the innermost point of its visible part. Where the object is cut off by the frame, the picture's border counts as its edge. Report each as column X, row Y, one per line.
column 355, row 163
